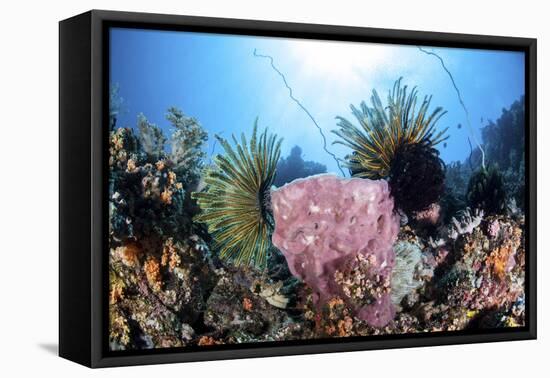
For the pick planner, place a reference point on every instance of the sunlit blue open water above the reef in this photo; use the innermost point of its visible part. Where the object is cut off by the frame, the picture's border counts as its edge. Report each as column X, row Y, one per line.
column 217, row 79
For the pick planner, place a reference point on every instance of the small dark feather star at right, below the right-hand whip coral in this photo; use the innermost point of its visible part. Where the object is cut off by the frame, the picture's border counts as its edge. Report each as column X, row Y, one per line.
column 486, row 191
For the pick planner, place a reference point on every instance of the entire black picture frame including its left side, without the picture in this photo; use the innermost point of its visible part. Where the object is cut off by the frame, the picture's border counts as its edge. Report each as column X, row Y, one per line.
column 83, row 114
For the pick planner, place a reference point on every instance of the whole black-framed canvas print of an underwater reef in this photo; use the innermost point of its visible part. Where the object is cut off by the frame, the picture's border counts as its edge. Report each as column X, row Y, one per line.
column 233, row 188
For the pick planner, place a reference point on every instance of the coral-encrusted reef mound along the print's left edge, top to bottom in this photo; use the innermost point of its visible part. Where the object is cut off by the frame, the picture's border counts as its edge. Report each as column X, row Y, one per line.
column 159, row 266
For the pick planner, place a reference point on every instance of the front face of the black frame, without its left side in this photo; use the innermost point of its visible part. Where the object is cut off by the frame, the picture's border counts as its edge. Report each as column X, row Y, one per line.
column 98, row 17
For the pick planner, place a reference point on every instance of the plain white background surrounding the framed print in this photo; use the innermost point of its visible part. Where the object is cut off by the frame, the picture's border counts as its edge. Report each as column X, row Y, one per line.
column 29, row 189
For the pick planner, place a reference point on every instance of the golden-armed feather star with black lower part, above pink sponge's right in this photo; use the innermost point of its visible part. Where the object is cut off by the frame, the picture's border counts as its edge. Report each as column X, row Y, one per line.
column 396, row 142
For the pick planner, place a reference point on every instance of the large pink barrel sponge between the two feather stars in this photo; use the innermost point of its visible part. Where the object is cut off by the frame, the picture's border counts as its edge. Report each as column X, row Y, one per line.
column 337, row 236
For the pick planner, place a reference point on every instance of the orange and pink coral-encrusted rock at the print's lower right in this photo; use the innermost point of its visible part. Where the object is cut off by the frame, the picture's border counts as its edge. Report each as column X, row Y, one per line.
column 488, row 273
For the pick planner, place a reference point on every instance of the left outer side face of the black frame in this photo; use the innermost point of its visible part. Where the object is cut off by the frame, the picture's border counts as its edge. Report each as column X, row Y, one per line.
column 74, row 193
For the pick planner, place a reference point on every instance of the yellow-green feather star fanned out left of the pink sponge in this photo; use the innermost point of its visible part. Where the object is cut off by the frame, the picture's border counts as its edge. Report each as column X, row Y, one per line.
column 234, row 204
